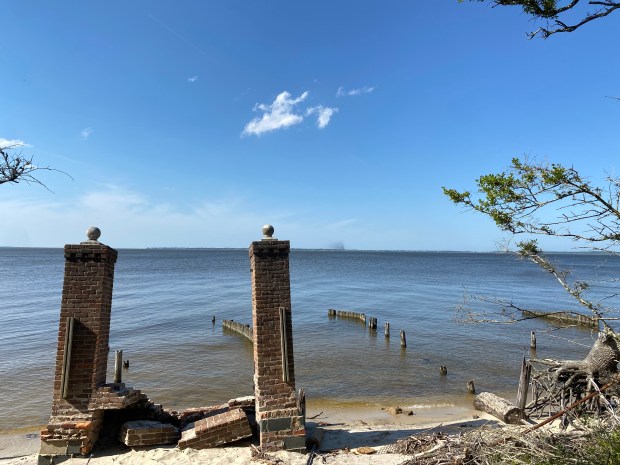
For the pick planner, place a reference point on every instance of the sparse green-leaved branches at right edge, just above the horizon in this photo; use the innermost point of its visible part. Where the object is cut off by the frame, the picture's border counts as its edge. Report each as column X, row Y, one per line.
column 546, row 199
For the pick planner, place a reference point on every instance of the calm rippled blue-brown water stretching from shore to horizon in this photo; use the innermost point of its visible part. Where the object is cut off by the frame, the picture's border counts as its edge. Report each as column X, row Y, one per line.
column 164, row 301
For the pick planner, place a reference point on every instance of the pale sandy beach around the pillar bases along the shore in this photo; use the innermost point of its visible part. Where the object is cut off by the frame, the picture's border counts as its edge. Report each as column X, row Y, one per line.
column 346, row 430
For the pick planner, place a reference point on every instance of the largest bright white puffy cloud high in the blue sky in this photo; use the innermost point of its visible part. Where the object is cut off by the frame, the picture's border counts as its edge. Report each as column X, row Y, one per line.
column 280, row 114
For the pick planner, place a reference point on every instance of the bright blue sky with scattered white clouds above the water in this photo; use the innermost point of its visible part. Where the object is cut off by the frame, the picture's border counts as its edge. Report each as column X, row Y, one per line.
column 194, row 123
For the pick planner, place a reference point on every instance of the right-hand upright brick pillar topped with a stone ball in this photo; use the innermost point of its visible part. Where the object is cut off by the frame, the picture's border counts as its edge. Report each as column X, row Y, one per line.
column 280, row 418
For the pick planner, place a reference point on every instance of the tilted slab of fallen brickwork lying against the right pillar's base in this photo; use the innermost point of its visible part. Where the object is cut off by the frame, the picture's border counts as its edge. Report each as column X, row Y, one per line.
column 216, row 430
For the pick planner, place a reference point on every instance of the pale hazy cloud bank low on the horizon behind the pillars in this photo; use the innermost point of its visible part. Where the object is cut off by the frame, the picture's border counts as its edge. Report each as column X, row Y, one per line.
column 128, row 218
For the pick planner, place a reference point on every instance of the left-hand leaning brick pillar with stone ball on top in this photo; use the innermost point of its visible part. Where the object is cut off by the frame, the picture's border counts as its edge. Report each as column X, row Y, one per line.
column 82, row 354
